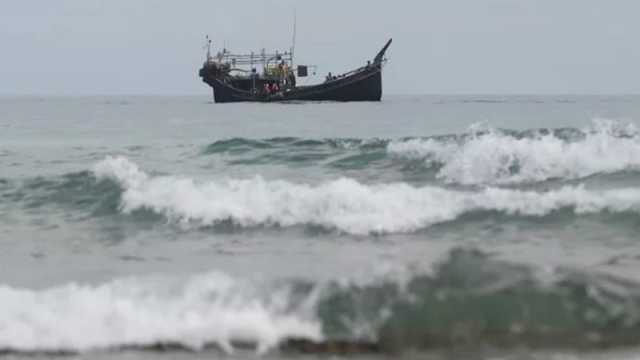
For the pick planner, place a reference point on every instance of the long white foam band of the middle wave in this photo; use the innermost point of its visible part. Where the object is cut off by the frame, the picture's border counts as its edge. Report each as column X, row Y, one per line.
column 342, row 204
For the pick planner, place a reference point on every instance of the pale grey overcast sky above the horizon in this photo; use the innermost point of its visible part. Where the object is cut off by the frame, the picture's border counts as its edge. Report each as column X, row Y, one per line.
column 76, row 47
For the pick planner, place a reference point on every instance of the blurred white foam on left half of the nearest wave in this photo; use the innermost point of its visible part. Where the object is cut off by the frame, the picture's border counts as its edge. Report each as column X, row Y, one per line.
column 207, row 309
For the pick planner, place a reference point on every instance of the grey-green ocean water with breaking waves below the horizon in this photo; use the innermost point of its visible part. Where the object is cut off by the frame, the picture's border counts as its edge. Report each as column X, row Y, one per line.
column 420, row 227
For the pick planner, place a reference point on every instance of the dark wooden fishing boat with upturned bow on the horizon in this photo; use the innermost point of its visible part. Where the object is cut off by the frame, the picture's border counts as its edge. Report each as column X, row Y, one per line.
column 273, row 77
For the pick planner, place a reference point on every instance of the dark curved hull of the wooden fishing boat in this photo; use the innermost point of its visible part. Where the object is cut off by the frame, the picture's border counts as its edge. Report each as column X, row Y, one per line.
column 363, row 85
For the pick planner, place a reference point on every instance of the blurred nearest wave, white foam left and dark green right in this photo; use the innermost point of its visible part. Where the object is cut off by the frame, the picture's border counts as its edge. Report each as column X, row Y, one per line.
column 468, row 299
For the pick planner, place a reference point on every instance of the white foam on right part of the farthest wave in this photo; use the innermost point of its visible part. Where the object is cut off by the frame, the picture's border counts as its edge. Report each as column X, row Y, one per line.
column 496, row 158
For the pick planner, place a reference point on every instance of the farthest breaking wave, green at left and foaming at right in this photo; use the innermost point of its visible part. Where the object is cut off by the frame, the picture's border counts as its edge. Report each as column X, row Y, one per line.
column 482, row 156
